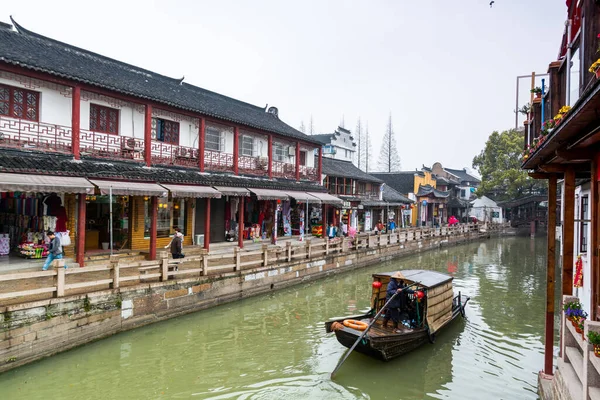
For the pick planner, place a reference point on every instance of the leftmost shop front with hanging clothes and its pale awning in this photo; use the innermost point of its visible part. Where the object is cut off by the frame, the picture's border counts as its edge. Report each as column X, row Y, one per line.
column 31, row 205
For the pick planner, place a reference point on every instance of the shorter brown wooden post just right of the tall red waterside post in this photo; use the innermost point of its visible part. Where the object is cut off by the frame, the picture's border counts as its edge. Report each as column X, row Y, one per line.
column 568, row 231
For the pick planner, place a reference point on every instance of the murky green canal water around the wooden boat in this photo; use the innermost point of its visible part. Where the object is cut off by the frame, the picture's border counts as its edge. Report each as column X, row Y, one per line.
column 274, row 346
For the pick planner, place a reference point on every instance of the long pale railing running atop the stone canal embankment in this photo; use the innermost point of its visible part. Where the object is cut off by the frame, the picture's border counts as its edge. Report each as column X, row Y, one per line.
column 117, row 273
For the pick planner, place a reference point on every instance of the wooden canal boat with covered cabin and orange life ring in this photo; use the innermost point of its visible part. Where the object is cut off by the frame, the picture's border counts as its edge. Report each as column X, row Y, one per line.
column 433, row 306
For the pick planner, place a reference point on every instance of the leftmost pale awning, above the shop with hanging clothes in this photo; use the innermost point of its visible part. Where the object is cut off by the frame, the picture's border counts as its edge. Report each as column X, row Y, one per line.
column 44, row 183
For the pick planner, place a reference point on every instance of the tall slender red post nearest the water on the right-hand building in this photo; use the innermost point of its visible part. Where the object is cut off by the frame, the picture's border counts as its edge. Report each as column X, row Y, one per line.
column 550, row 271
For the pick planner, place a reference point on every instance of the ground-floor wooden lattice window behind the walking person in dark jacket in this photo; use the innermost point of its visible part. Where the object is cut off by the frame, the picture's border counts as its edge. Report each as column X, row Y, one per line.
column 171, row 215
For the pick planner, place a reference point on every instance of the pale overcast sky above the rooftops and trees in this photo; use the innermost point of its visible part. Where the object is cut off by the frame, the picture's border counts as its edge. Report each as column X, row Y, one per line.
column 445, row 69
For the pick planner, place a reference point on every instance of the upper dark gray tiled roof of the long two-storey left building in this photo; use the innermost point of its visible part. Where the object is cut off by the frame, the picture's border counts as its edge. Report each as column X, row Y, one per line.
column 36, row 52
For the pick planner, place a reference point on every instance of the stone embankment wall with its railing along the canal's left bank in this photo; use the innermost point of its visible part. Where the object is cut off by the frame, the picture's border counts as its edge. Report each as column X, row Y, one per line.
column 62, row 309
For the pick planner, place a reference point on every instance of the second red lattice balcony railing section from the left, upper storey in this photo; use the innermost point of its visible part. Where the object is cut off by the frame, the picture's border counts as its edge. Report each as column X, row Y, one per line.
column 104, row 145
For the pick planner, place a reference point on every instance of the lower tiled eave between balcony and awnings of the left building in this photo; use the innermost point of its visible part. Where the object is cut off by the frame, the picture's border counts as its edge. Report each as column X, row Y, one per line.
column 14, row 161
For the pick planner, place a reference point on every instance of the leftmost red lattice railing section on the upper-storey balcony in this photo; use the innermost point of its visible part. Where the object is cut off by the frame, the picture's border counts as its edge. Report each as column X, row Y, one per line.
column 20, row 133
